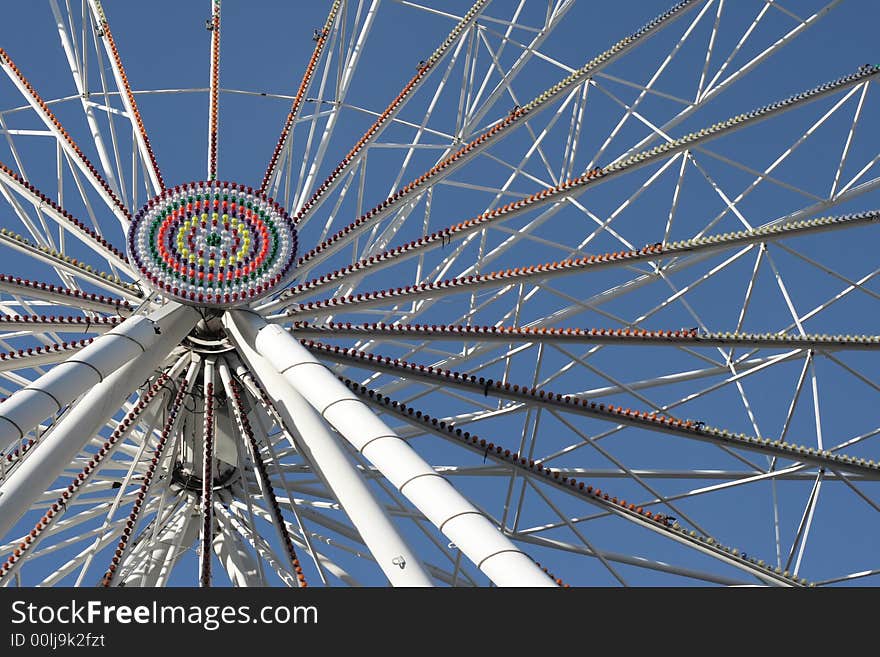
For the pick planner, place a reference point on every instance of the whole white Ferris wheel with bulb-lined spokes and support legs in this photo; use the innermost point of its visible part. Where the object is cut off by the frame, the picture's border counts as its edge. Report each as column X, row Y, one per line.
column 512, row 293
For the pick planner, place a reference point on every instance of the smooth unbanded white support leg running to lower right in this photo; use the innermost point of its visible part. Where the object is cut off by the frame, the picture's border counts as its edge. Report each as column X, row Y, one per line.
column 319, row 447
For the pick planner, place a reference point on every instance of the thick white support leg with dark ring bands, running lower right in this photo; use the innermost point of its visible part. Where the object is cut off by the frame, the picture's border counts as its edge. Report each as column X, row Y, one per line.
column 443, row 505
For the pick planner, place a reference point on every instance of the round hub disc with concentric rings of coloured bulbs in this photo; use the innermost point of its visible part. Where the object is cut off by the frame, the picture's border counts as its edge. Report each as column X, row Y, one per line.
column 215, row 244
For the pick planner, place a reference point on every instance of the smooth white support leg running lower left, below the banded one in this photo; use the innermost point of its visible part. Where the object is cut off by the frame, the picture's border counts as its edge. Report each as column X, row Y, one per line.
column 60, row 446
